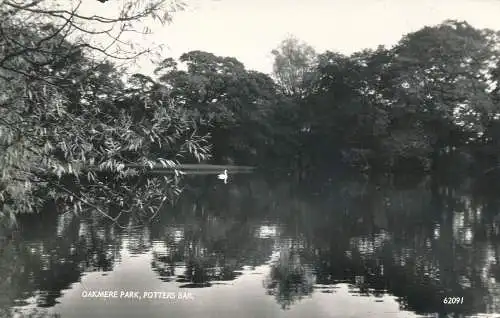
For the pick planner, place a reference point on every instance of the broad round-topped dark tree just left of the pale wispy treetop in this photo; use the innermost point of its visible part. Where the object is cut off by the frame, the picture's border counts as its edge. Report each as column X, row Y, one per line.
column 234, row 102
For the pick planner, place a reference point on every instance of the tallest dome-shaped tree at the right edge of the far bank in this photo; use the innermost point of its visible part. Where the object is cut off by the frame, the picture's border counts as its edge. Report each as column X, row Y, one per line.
column 437, row 83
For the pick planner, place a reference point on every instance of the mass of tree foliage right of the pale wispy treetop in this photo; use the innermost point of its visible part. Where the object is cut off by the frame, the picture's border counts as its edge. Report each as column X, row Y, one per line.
column 426, row 95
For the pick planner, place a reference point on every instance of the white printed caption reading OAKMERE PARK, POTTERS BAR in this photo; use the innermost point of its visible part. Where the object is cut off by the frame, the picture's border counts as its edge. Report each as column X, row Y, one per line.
column 133, row 294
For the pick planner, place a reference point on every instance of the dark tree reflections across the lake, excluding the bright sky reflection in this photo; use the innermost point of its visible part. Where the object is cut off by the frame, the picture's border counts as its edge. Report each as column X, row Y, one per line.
column 418, row 242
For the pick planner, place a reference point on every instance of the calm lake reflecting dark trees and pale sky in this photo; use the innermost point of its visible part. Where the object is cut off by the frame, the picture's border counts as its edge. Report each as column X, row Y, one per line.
column 267, row 247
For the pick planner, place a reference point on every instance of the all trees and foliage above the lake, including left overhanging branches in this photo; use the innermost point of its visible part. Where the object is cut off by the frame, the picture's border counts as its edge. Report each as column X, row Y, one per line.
column 428, row 105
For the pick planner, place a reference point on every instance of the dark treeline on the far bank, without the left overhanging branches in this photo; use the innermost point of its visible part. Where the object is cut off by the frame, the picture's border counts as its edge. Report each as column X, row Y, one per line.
column 429, row 101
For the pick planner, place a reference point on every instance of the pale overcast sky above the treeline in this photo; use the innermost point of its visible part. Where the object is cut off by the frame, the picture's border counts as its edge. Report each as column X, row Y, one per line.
column 249, row 30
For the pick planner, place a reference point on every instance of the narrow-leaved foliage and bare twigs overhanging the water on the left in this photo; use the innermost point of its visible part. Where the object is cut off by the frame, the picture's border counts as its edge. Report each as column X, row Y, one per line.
column 70, row 129
